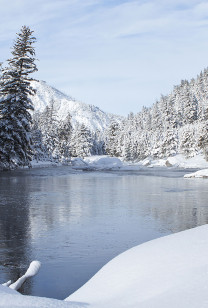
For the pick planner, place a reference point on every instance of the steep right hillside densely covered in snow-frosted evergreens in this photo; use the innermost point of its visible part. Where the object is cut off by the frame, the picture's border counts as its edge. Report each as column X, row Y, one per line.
column 176, row 124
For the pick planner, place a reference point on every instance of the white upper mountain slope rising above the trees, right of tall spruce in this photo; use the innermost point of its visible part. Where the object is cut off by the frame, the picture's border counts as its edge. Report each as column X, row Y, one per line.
column 89, row 115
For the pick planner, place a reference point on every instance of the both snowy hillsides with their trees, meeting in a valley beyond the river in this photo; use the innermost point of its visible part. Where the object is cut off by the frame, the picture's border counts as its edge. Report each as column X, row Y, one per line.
column 176, row 124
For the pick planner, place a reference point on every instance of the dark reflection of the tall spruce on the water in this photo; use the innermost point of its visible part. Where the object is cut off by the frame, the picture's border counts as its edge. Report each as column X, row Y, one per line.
column 14, row 227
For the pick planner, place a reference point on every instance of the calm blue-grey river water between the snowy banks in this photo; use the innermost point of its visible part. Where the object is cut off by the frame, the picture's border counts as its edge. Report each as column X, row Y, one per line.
column 75, row 221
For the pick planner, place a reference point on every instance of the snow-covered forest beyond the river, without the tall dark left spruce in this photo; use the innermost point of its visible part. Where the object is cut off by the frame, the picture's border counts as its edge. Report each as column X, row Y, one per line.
column 177, row 123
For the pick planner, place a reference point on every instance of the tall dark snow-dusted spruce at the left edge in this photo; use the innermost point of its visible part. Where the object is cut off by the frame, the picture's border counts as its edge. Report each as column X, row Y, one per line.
column 15, row 104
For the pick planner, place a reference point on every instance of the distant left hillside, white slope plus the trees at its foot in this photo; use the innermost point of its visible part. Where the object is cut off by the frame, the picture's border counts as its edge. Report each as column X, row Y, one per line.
column 63, row 127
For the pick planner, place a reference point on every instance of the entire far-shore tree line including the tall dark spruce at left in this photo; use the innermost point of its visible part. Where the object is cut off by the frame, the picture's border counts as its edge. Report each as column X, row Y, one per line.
column 177, row 123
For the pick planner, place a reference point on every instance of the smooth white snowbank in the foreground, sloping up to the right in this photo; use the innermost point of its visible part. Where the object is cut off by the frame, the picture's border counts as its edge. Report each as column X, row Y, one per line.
column 168, row 272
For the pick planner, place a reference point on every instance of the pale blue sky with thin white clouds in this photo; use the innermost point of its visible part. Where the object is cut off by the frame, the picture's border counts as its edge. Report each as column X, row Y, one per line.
column 118, row 55
